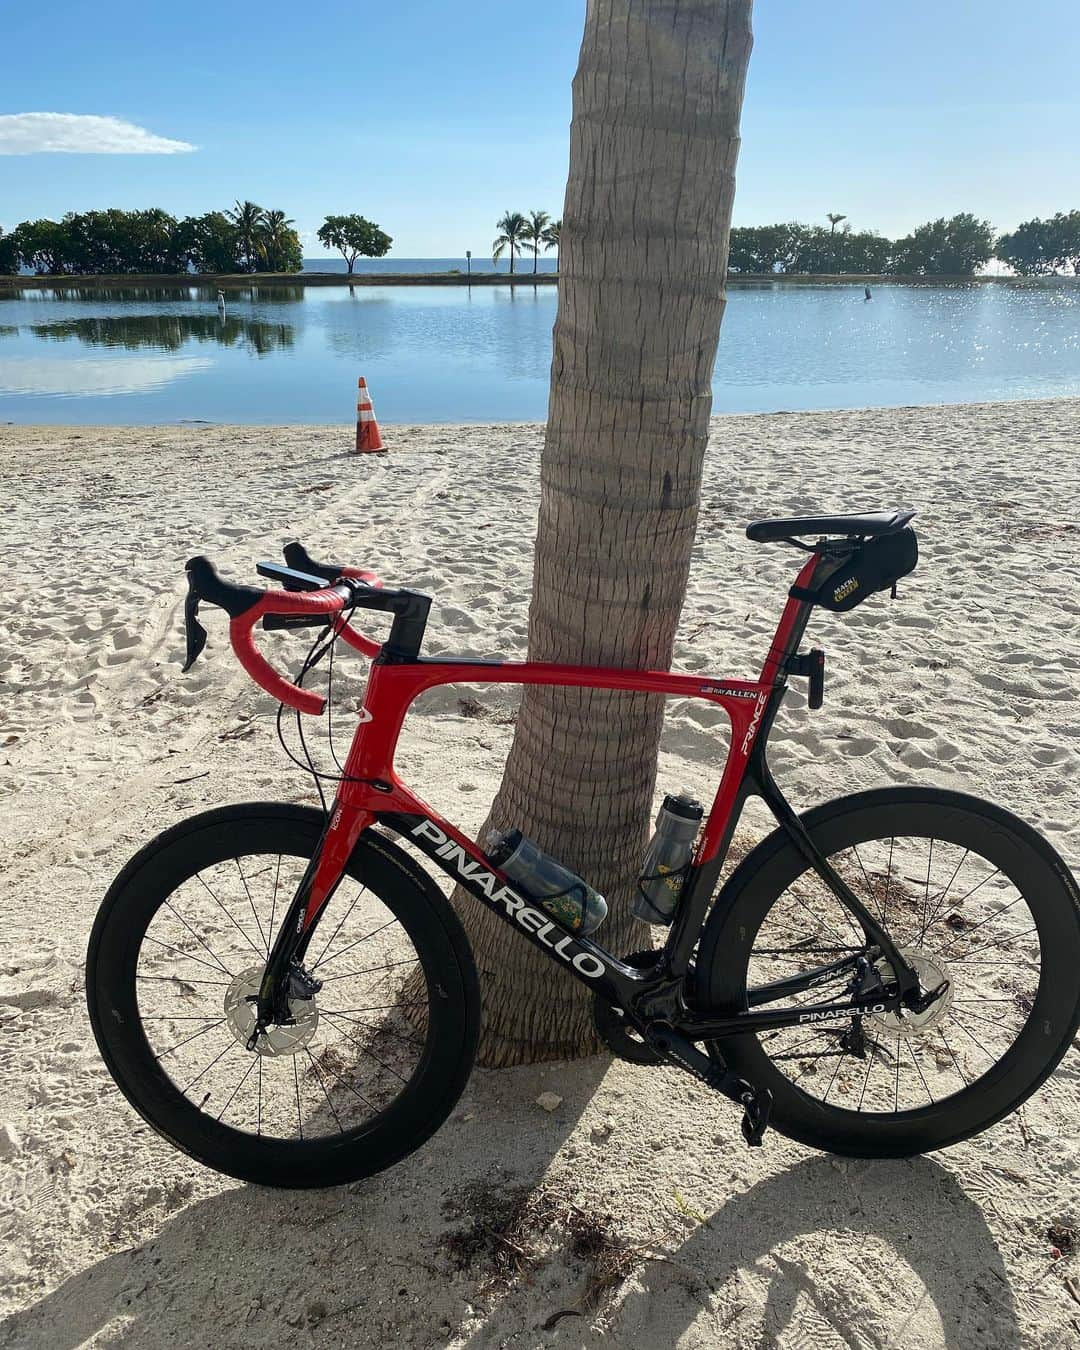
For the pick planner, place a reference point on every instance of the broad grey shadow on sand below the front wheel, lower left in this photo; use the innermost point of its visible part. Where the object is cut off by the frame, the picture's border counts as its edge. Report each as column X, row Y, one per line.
column 256, row 1267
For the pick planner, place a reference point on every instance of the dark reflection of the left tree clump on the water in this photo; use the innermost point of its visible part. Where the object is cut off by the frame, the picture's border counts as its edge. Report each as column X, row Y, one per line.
column 169, row 333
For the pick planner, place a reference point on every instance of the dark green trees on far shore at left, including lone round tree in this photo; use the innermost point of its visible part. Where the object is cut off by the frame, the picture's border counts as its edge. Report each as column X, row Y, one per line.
column 246, row 240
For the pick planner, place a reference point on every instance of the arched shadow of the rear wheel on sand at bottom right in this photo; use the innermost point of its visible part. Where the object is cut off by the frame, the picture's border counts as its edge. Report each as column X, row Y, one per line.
column 934, row 1237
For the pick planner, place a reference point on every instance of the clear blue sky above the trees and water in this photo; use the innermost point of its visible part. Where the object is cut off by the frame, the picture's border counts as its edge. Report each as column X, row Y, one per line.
column 433, row 119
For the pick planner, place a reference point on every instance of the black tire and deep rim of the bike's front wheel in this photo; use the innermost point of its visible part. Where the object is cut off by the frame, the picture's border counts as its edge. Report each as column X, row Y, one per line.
column 385, row 873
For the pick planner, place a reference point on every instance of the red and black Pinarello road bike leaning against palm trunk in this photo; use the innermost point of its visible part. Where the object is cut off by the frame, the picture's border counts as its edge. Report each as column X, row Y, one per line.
column 288, row 997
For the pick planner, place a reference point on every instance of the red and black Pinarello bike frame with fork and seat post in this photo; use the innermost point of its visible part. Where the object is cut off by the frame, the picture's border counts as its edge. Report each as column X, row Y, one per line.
column 373, row 794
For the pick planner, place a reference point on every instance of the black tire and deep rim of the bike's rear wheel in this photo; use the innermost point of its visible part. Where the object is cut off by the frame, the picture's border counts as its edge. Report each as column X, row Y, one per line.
column 763, row 878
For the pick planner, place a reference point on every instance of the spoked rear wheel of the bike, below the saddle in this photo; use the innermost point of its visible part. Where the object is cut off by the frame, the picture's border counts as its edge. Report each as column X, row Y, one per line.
column 974, row 898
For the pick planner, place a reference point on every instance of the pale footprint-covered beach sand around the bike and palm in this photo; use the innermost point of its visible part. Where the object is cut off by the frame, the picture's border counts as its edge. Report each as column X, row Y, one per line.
column 109, row 1237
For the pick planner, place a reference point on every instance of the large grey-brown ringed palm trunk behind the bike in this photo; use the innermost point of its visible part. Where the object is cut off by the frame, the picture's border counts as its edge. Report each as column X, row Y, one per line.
column 642, row 259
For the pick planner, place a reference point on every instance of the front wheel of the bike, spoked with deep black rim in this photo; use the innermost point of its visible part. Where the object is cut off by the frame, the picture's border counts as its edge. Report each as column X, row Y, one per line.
column 372, row 1064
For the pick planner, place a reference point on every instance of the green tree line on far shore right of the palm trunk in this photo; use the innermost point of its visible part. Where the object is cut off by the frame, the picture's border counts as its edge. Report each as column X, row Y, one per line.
column 947, row 248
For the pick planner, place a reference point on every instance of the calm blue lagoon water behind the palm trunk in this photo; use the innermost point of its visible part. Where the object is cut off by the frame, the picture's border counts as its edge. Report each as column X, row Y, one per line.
column 483, row 354
